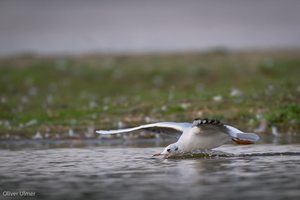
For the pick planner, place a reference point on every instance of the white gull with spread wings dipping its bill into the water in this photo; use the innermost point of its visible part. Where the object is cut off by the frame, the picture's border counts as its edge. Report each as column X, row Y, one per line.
column 202, row 134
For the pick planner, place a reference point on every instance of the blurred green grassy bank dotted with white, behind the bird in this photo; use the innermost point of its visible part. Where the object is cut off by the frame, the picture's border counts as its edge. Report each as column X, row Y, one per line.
column 54, row 94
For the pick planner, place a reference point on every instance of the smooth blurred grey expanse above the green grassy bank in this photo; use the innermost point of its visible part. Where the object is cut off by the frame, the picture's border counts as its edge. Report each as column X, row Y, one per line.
column 62, row 26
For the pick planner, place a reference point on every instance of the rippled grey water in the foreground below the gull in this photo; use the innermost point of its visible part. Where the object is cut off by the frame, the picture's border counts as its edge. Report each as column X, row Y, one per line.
column 263, row 171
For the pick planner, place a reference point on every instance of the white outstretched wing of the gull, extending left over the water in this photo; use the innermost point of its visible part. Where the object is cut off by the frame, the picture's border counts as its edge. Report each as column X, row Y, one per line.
column 160, row 127
